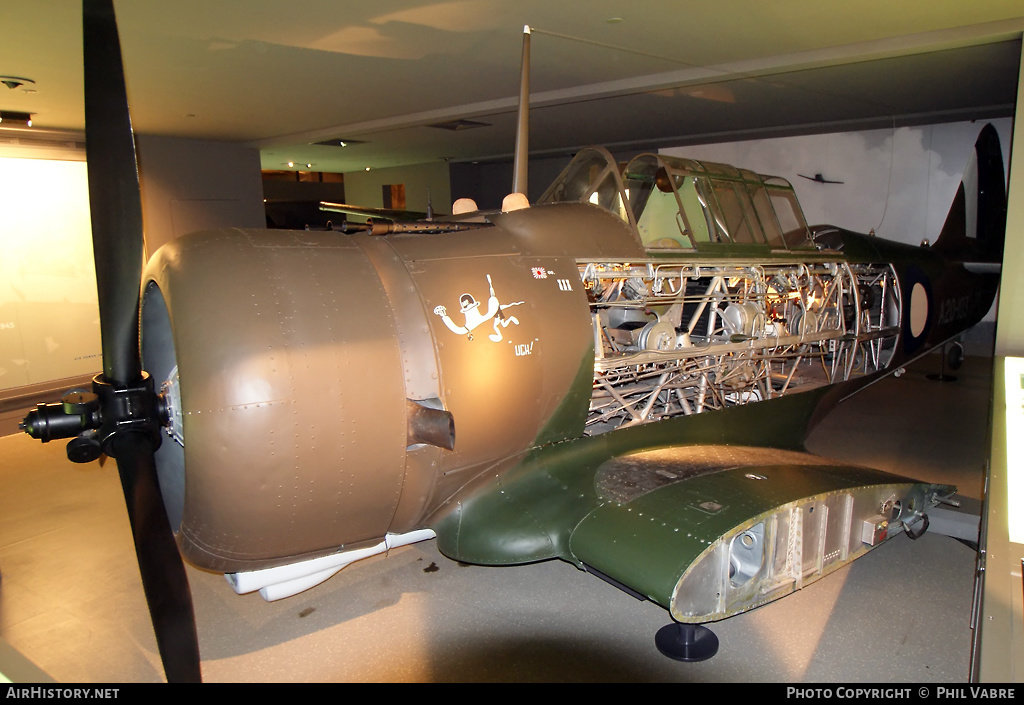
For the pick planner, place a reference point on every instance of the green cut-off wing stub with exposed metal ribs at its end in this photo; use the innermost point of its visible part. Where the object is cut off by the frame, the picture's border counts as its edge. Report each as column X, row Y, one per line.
column 707, row 531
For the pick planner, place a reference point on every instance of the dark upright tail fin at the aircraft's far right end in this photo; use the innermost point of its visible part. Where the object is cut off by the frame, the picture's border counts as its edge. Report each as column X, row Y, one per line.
column 975, row 228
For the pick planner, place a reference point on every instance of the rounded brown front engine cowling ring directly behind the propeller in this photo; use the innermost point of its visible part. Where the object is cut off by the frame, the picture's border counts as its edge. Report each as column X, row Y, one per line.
column 291, row 389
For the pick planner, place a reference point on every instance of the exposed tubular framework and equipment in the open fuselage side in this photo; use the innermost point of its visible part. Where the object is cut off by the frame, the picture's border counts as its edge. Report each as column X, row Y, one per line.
column 682, row 339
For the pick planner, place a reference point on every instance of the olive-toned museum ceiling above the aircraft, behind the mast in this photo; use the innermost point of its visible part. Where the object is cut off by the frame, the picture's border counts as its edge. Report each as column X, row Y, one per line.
column 281, row 75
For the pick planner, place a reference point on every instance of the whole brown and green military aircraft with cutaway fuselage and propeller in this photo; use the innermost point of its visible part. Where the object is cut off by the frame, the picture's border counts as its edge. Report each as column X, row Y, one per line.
column 621, row 376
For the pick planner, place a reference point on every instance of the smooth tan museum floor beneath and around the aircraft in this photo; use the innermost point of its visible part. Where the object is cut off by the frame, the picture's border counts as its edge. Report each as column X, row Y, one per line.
column 71, row 601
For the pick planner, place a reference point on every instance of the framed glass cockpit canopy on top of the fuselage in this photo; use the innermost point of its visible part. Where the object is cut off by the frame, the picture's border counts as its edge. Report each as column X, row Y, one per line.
column 676, row 203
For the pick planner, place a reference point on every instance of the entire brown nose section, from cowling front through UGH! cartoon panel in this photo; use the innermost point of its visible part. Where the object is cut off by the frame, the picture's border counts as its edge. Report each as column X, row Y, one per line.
column 328, row 389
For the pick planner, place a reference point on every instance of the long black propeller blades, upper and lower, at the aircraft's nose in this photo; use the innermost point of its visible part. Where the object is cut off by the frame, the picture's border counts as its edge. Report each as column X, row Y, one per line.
column 118, row 245
